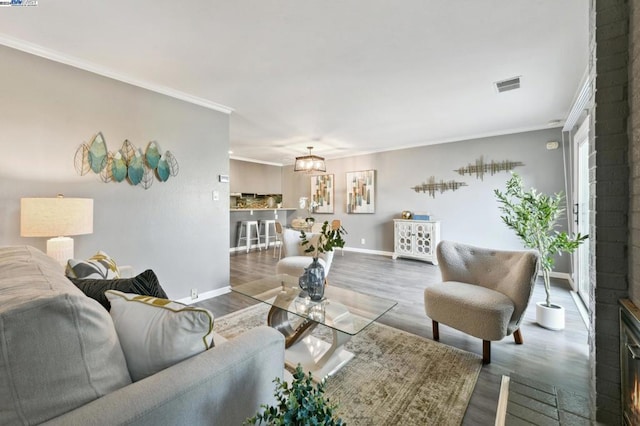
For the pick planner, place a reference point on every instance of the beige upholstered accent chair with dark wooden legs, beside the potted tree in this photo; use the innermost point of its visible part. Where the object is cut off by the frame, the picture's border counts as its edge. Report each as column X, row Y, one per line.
column 484, row 292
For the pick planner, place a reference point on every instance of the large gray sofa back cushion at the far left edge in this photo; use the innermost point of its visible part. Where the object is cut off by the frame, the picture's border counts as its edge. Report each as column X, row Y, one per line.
column 58, row 348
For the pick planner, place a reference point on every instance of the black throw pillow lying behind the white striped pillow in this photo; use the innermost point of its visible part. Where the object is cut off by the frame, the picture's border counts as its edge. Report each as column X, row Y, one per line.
column 145, row 284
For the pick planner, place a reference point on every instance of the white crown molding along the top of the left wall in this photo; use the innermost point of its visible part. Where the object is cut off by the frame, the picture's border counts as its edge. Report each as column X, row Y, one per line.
column 55, row 56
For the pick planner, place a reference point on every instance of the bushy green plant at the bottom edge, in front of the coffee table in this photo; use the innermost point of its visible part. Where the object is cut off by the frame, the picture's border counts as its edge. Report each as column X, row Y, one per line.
column 300, row 404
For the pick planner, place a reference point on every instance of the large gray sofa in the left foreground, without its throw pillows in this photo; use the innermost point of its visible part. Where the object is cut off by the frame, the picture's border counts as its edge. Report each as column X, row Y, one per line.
column 61, row 362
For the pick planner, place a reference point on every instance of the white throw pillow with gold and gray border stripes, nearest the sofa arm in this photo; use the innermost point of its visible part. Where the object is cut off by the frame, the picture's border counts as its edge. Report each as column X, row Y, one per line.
column 157, row 333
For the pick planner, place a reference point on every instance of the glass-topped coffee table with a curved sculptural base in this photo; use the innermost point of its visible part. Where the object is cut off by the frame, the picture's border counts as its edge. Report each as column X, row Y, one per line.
column 345, row 312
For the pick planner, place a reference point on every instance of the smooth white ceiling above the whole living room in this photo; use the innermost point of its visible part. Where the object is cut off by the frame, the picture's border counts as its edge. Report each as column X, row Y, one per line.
column 350, row 77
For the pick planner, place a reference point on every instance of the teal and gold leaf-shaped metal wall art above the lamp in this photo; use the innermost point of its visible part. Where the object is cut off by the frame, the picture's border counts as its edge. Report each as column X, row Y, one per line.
column 128, row 163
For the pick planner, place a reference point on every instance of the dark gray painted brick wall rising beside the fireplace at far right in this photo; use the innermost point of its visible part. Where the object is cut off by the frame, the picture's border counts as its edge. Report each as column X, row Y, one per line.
column 611, row 225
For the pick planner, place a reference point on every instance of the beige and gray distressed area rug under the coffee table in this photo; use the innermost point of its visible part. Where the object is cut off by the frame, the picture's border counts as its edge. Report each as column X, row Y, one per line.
column 395, row 378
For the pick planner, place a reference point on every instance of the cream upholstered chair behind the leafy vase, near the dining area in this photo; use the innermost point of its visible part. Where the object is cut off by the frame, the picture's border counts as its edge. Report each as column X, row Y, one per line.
column 295, row 260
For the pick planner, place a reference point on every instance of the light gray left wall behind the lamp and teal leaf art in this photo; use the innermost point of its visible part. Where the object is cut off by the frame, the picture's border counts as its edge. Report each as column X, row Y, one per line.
column 175, row 227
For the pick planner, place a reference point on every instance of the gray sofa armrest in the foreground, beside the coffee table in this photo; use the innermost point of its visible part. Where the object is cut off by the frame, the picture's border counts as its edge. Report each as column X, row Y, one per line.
column 221, row 386
